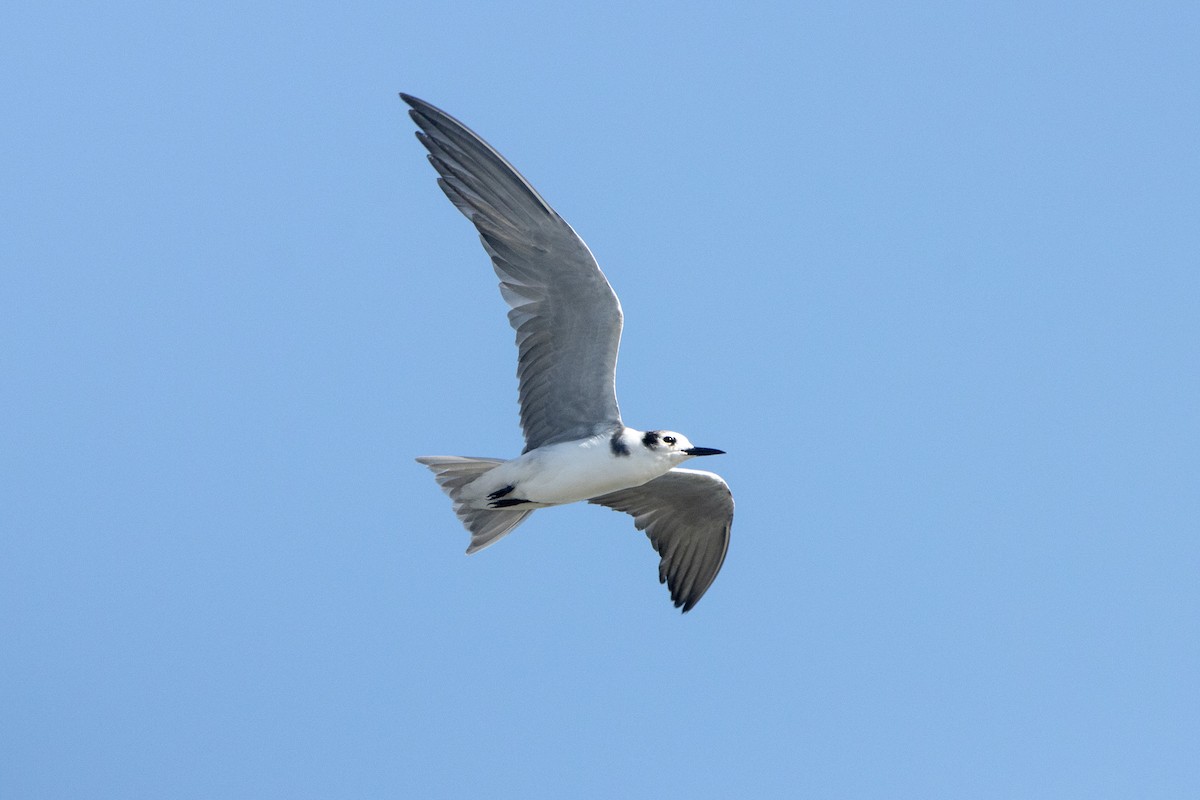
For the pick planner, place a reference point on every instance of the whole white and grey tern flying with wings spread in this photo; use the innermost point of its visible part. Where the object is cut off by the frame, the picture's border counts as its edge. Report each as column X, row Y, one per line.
column 568, row 329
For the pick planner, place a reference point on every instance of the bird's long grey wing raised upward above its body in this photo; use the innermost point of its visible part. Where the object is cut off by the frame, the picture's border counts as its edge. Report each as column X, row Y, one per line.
column 566, row 316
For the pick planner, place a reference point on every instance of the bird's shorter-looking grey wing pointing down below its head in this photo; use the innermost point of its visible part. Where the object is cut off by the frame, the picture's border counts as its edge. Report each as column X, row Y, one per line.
column 687, row 514
